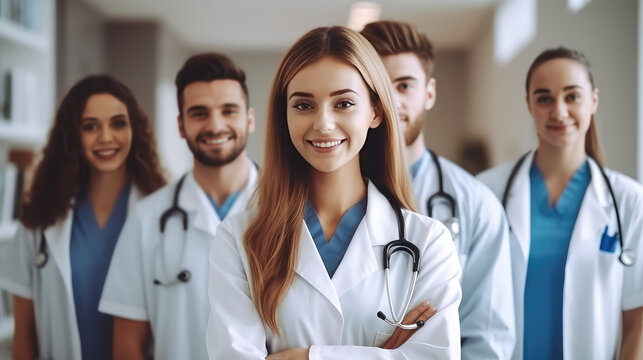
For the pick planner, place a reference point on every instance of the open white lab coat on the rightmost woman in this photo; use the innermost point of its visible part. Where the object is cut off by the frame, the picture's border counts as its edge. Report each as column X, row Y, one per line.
column 597, row 288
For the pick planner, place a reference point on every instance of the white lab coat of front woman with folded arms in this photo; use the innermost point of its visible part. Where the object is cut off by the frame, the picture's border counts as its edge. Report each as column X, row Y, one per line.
column 336, row 317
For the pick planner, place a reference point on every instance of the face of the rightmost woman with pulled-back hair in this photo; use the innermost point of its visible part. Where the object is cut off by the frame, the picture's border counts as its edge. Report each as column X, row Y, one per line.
column 561, row 100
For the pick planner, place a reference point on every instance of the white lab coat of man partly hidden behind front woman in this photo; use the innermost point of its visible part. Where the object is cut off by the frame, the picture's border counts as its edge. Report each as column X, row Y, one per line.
column 487, row 324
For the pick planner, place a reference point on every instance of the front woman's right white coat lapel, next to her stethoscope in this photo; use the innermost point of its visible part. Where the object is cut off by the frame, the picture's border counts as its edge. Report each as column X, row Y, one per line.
column 378, row 227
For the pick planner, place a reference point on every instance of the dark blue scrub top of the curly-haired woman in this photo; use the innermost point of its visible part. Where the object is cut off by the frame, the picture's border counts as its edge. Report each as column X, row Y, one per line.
column 91, row 250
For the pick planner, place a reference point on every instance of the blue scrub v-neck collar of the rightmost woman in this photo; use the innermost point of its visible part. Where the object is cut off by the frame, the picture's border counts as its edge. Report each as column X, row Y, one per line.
column 567, row 201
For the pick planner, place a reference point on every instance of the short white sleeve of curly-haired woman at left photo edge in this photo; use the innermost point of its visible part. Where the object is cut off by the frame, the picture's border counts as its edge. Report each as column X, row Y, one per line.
column 17, row 263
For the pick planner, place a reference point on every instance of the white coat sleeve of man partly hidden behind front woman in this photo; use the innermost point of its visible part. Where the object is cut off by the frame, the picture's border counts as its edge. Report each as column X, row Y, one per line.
column 487, row 311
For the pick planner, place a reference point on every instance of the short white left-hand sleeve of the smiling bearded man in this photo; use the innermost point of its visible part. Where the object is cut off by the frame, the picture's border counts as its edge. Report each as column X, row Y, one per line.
column 124, row 291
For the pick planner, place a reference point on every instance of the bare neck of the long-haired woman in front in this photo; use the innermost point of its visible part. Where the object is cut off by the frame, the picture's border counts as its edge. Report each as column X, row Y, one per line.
column 332, row 194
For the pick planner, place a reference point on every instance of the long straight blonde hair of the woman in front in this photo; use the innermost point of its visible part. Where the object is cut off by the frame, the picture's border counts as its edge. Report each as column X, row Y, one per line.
column 272, row 238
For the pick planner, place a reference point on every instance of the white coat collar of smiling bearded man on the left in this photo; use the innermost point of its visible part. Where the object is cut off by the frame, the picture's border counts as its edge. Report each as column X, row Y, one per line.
column 195, row 201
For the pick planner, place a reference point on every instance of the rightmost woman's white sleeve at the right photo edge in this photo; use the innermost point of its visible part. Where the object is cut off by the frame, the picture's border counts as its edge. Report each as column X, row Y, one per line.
column 633, row 229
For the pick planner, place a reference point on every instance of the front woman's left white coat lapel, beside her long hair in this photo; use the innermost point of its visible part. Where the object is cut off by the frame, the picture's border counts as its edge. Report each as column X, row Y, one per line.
column 311, row 268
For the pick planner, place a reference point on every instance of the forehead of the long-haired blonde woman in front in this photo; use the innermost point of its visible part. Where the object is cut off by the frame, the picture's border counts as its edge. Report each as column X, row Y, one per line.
column 327, row 75
